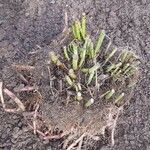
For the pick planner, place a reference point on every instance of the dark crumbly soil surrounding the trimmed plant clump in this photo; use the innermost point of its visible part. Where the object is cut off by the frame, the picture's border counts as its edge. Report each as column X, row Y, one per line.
column 25, row 24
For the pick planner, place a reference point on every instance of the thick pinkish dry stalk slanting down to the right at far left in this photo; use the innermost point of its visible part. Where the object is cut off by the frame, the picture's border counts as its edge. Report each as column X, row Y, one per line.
column 16, row 100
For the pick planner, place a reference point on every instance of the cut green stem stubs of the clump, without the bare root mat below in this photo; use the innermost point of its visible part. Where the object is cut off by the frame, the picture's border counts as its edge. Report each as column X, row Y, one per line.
column 109, row 74
